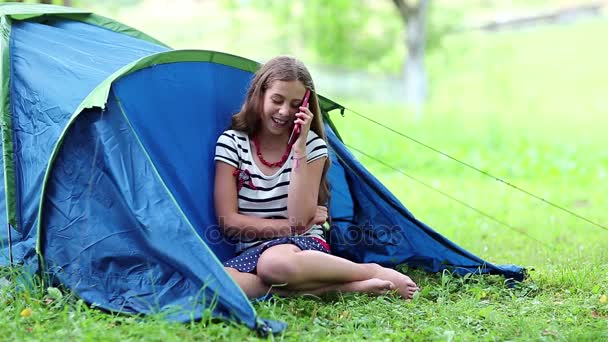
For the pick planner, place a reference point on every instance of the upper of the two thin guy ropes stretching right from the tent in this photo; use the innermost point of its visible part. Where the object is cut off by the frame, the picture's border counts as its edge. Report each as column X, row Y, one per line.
column 481, row 171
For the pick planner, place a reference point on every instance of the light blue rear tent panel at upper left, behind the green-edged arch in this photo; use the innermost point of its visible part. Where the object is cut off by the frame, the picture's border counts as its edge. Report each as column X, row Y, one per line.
column 53, row 66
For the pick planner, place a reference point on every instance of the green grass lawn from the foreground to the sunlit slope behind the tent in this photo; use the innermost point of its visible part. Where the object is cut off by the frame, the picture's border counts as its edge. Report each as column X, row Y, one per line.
column 527, row 107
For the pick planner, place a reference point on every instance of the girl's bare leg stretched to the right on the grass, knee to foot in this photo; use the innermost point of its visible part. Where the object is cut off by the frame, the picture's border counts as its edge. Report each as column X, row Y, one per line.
column 308, row 270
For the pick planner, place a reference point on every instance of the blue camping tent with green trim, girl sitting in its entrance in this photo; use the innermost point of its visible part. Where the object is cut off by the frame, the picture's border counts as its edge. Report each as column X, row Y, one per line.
column 108, row 139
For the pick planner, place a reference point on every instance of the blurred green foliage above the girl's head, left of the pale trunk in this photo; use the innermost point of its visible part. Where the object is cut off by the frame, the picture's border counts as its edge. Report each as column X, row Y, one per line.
column 341, row 33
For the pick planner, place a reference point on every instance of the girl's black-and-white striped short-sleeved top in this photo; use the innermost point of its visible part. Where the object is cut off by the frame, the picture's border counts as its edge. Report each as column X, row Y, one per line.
column 268, row 196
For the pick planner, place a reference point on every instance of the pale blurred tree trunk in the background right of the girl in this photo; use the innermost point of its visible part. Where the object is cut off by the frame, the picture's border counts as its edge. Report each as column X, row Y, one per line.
column 414, row 17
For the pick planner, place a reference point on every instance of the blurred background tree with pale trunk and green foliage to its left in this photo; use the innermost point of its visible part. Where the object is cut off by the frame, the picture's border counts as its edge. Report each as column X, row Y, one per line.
column 378, row 35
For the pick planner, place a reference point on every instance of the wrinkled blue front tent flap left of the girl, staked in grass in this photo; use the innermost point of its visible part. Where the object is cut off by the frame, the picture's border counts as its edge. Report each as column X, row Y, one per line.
column 115, row 235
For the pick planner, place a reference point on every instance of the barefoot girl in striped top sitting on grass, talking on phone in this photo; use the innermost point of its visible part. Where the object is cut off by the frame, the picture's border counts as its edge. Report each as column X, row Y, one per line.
column 270, row 195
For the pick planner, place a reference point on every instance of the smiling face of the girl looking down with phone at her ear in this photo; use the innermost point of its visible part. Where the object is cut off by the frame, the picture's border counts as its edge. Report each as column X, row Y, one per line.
column 281, row 103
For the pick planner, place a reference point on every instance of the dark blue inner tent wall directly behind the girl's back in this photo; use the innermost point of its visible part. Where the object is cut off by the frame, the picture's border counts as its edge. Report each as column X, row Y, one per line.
column 192, row 105
